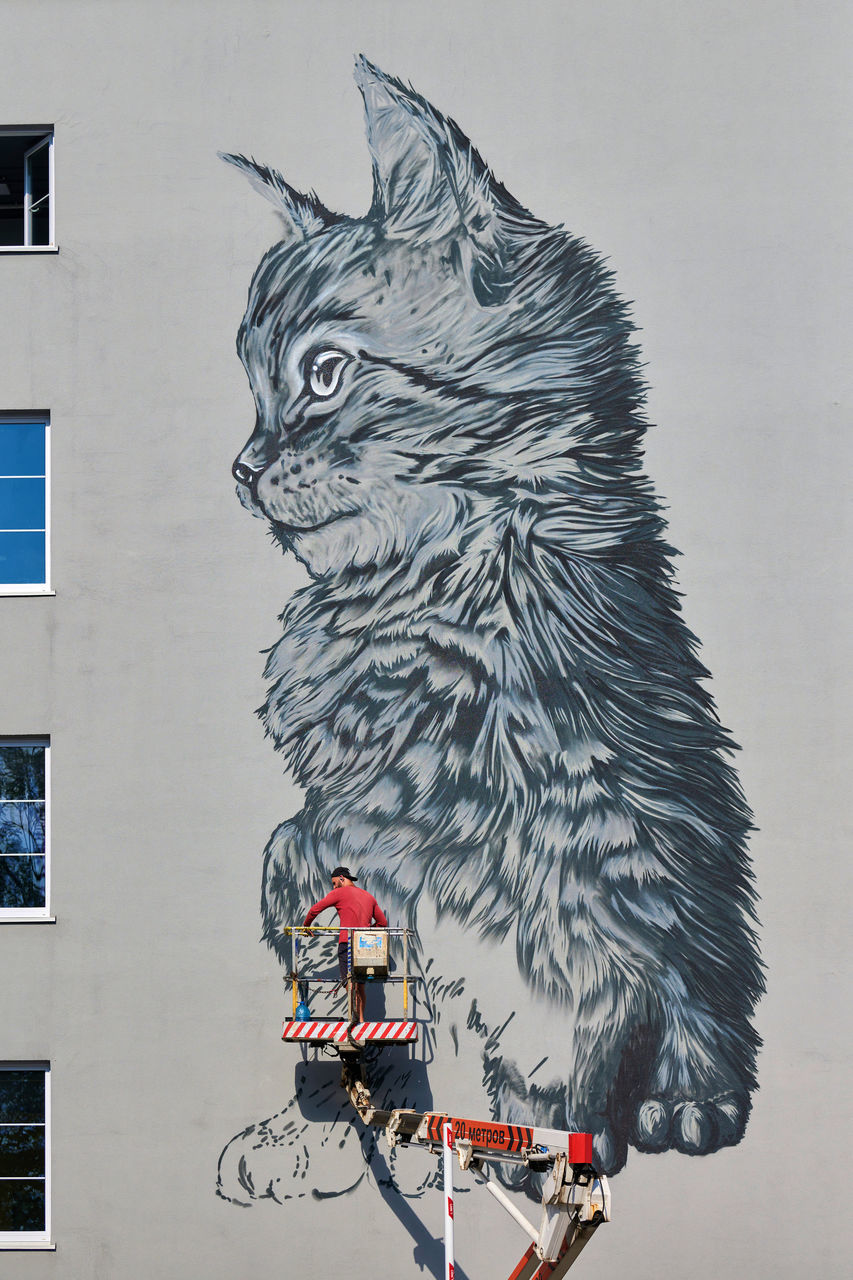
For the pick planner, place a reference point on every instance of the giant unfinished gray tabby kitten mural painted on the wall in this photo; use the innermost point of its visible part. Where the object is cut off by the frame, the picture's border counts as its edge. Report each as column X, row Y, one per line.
column 487, row 691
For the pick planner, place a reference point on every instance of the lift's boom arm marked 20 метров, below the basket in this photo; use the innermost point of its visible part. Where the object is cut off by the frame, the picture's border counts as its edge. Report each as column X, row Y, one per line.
column 576, row 1199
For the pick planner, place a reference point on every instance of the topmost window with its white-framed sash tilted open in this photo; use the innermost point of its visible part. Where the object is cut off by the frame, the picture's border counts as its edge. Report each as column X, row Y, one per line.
column 28, row 188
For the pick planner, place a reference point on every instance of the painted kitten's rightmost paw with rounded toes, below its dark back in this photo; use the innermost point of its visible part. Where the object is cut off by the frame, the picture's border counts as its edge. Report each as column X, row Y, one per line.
column 694, row 1126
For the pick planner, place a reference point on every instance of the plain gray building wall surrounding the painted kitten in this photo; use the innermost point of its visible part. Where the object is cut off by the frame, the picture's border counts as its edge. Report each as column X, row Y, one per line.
column 699, row 147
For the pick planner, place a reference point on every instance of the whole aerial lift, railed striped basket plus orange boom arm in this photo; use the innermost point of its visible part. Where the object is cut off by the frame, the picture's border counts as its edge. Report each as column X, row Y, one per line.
column 576, row 1199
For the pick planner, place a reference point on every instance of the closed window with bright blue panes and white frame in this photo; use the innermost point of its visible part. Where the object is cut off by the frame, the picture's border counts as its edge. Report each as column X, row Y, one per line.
column 25, row 545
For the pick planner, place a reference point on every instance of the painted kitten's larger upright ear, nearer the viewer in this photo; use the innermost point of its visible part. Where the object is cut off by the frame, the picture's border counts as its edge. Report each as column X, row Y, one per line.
column 428, row 181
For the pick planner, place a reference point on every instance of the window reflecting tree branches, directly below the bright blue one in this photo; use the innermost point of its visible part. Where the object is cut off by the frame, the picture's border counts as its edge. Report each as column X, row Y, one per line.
column 24, row 829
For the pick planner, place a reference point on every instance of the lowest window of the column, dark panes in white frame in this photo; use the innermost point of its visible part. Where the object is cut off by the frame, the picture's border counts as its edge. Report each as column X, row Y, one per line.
column 25, row 1153
